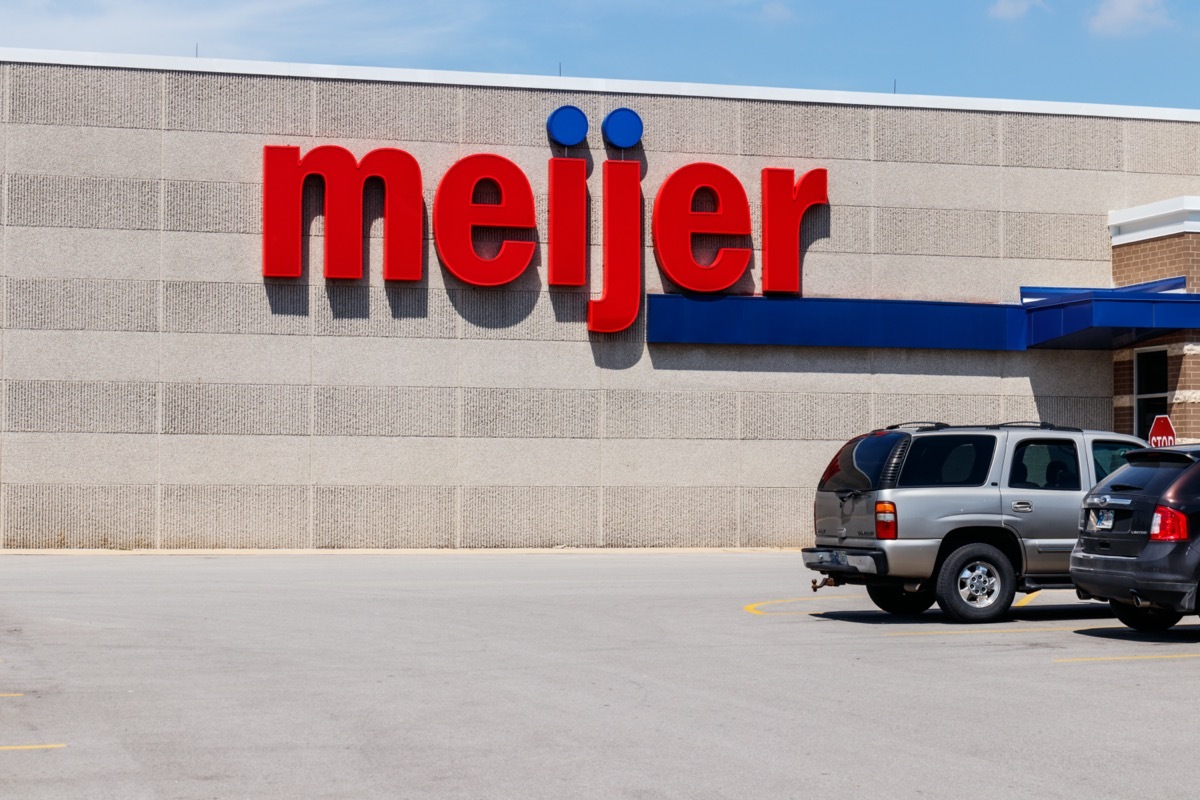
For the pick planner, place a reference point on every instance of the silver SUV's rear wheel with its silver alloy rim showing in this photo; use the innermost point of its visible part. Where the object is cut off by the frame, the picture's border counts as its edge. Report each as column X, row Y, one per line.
column 976, row 585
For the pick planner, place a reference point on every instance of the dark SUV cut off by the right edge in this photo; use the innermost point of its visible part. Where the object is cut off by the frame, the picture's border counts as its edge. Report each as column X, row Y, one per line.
column 1139, row 545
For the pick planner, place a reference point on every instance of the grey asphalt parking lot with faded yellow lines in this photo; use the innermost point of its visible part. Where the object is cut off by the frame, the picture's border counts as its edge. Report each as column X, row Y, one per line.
column 566, row 675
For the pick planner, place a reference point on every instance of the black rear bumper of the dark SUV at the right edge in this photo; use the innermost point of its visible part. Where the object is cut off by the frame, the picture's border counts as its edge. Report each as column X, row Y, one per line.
column 1165, row 575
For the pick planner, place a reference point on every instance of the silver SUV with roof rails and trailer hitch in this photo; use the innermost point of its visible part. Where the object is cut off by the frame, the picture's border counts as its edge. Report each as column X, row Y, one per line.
column 964, row 516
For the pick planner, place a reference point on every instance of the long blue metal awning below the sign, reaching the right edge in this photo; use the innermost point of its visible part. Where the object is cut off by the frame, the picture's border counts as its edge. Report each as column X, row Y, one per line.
column 1048, row 318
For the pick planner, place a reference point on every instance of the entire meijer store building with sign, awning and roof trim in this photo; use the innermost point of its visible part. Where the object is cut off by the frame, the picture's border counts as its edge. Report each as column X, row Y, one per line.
column 530, row 375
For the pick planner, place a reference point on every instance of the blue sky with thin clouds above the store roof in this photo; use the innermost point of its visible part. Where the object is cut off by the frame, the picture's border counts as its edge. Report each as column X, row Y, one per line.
column 1129, row 52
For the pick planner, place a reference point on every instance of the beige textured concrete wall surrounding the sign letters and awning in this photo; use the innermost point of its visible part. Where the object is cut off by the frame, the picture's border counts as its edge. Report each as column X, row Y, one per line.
column 159, row 393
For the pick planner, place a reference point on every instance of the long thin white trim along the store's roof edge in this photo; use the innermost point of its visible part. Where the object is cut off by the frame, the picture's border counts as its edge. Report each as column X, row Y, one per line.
column 178, row 64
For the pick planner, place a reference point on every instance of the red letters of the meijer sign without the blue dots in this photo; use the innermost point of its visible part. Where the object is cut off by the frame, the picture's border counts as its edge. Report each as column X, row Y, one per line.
column 785, row 200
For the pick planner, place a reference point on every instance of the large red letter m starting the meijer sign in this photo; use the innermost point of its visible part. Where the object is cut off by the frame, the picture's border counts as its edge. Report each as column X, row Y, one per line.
column 284, row 176
